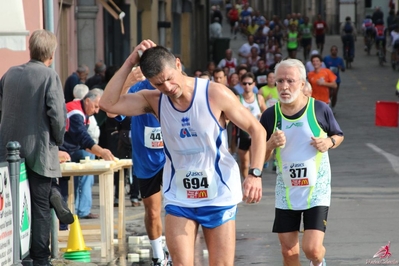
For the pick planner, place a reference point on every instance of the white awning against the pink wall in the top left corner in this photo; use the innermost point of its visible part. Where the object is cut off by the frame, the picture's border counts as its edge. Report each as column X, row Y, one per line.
column 12, row 25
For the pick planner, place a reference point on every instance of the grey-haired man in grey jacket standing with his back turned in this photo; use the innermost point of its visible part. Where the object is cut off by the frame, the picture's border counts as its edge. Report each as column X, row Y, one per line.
column 33, row 113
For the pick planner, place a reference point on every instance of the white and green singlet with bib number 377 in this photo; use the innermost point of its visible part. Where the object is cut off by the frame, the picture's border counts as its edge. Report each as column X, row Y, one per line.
column 303, row 173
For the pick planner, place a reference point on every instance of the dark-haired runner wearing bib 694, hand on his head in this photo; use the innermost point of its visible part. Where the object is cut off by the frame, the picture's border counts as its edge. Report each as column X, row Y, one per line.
column 201, row 181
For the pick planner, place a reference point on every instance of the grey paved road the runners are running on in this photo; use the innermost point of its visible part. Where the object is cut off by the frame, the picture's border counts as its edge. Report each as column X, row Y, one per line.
column 365, row 181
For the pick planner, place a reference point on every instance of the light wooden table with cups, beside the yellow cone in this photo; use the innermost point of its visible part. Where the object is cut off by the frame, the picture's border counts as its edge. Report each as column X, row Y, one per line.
column 106, row 196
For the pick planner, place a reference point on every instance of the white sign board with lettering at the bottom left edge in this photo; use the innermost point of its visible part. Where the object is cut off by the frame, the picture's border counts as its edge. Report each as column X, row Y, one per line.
column 6, row 220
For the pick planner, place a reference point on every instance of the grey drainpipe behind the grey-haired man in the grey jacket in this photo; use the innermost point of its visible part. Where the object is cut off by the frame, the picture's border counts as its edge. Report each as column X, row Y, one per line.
column 49, row 25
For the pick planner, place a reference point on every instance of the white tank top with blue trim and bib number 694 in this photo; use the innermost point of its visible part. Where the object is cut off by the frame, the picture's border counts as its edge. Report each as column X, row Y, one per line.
column 199, row 170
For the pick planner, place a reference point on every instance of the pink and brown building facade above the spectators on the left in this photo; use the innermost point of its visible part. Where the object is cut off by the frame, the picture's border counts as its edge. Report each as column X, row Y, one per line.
column 108, row 30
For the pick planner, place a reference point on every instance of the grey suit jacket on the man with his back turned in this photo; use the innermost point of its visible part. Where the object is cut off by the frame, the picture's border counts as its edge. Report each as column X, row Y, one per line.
column 33, row 113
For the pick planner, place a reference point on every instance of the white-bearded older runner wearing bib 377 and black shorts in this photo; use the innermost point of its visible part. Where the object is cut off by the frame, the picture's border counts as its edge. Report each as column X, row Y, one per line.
column 301, row 130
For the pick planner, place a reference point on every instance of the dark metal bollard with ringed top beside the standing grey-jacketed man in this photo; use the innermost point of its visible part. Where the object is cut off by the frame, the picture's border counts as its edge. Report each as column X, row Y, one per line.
column 13, row 165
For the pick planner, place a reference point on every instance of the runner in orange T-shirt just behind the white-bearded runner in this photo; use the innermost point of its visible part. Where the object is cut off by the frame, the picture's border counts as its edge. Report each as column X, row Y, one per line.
column 321, row 79
